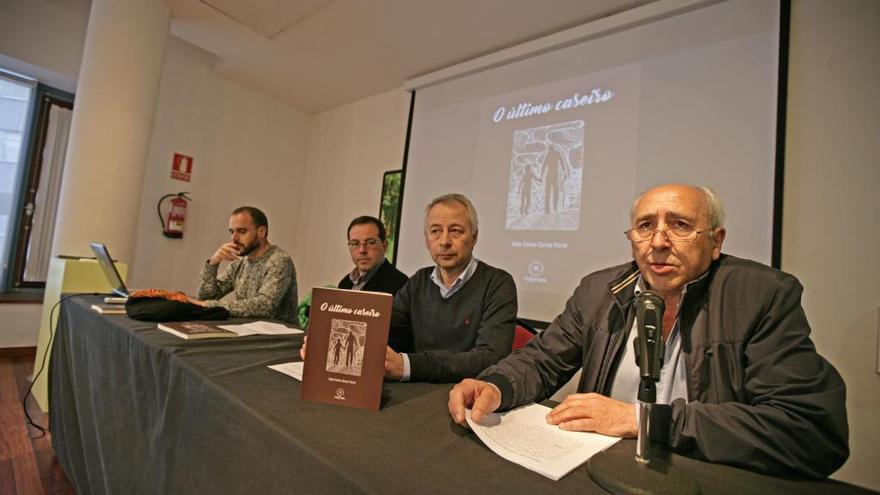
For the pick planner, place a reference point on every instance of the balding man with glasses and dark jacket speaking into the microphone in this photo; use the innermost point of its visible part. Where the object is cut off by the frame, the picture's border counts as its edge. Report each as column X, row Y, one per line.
column 741, row 382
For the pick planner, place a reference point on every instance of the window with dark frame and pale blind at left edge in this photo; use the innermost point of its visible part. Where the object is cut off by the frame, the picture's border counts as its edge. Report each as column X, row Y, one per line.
column 34, row 126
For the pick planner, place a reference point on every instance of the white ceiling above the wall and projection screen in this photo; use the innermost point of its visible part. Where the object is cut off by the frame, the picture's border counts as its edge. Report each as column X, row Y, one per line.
column 318, row 54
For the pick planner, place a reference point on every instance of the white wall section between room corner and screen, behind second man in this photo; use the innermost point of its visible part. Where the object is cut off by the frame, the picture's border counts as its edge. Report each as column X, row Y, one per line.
column 350, row 147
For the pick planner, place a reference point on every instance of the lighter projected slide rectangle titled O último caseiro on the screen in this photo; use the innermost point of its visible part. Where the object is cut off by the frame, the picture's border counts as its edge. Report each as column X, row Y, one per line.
column 545, row 152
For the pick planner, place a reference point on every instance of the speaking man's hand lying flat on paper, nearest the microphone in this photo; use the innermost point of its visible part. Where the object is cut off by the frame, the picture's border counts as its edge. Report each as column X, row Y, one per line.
column 594, row 412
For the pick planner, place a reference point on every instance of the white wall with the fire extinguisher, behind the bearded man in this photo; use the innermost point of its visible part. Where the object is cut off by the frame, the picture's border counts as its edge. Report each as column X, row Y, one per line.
column 247, row 149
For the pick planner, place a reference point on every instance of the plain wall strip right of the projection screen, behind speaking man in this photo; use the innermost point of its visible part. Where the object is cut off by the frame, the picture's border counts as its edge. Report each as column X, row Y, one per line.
column 831, row 236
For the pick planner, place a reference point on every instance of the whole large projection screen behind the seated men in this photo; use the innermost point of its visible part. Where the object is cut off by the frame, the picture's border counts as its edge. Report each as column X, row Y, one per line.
column 553, row 148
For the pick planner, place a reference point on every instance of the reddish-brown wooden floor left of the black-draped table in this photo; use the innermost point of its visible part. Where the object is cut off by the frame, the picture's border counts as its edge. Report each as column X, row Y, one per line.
column 27, row 462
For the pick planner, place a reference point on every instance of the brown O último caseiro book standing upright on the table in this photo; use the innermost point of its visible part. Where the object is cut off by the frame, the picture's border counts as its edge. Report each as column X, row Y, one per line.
column 345, row 357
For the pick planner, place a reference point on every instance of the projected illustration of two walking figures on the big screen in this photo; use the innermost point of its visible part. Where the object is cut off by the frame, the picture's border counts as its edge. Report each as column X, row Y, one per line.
column 546, row 172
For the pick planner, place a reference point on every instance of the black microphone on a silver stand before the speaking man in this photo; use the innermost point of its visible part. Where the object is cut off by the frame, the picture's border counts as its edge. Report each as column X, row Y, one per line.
column 649, row 356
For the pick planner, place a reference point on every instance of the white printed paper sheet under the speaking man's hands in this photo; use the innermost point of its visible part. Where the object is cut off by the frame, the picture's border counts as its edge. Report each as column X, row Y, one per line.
column 523, row 436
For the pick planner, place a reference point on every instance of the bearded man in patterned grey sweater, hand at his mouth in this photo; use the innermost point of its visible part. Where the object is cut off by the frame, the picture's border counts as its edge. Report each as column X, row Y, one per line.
column 261, row 275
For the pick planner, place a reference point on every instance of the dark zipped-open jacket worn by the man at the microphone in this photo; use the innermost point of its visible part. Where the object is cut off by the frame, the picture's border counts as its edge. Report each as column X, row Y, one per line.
column 759, row 396
